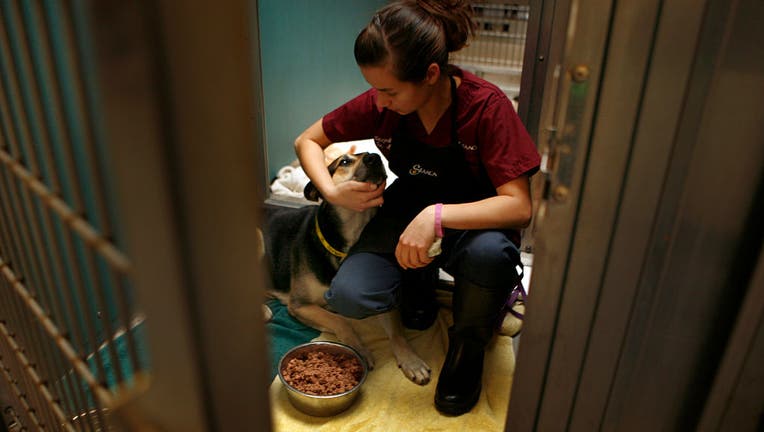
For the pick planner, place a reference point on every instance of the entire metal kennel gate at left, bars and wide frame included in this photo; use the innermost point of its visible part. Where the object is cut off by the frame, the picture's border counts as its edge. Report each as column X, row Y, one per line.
column 97, row 214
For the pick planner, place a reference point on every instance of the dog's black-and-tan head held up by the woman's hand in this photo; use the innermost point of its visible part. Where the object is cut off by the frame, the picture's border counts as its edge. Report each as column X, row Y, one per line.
column 364, row 167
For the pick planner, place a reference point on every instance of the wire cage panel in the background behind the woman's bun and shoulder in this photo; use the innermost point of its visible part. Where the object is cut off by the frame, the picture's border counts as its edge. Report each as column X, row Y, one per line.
column 496, row 52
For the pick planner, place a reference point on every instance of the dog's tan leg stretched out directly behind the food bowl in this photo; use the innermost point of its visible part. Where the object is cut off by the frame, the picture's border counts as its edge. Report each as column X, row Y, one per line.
column 321, row 319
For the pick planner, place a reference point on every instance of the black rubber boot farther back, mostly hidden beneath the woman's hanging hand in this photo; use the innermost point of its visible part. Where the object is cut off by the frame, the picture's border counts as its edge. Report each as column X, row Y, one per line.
column 418, row 305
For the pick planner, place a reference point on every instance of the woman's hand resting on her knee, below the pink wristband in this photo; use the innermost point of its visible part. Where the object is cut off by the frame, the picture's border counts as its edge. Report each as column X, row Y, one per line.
column 411, row 251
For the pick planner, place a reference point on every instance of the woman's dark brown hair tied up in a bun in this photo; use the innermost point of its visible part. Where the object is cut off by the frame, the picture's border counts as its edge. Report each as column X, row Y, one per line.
column 412, row 34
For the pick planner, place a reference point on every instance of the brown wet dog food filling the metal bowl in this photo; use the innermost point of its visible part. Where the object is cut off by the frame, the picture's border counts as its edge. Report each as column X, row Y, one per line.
column 323, row 373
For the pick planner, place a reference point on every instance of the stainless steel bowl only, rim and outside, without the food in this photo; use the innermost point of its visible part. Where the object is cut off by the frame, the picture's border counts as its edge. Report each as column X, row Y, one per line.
column 322, row 406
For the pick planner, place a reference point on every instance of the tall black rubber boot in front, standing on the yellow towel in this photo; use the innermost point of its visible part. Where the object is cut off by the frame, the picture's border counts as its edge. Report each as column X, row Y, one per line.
column 476, row 310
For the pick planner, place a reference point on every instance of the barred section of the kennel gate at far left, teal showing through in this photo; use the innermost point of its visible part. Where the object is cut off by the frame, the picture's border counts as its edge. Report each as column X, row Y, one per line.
column 70, row 334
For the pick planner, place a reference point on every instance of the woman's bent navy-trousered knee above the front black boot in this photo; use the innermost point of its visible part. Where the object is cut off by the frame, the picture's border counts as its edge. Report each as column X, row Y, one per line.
column 486, row 258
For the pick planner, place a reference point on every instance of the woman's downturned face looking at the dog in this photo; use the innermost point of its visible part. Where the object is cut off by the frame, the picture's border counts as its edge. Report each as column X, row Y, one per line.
column 402, row 97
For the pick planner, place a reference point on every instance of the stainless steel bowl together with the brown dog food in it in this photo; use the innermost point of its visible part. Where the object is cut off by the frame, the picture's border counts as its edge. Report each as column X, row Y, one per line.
column 322, row 378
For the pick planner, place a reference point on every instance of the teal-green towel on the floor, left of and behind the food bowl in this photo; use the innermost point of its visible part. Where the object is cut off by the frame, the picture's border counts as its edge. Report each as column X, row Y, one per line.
column 284, row 333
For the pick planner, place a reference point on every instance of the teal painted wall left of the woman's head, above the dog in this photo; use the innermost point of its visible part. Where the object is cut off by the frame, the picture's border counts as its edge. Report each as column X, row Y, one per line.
column 307, row 65
